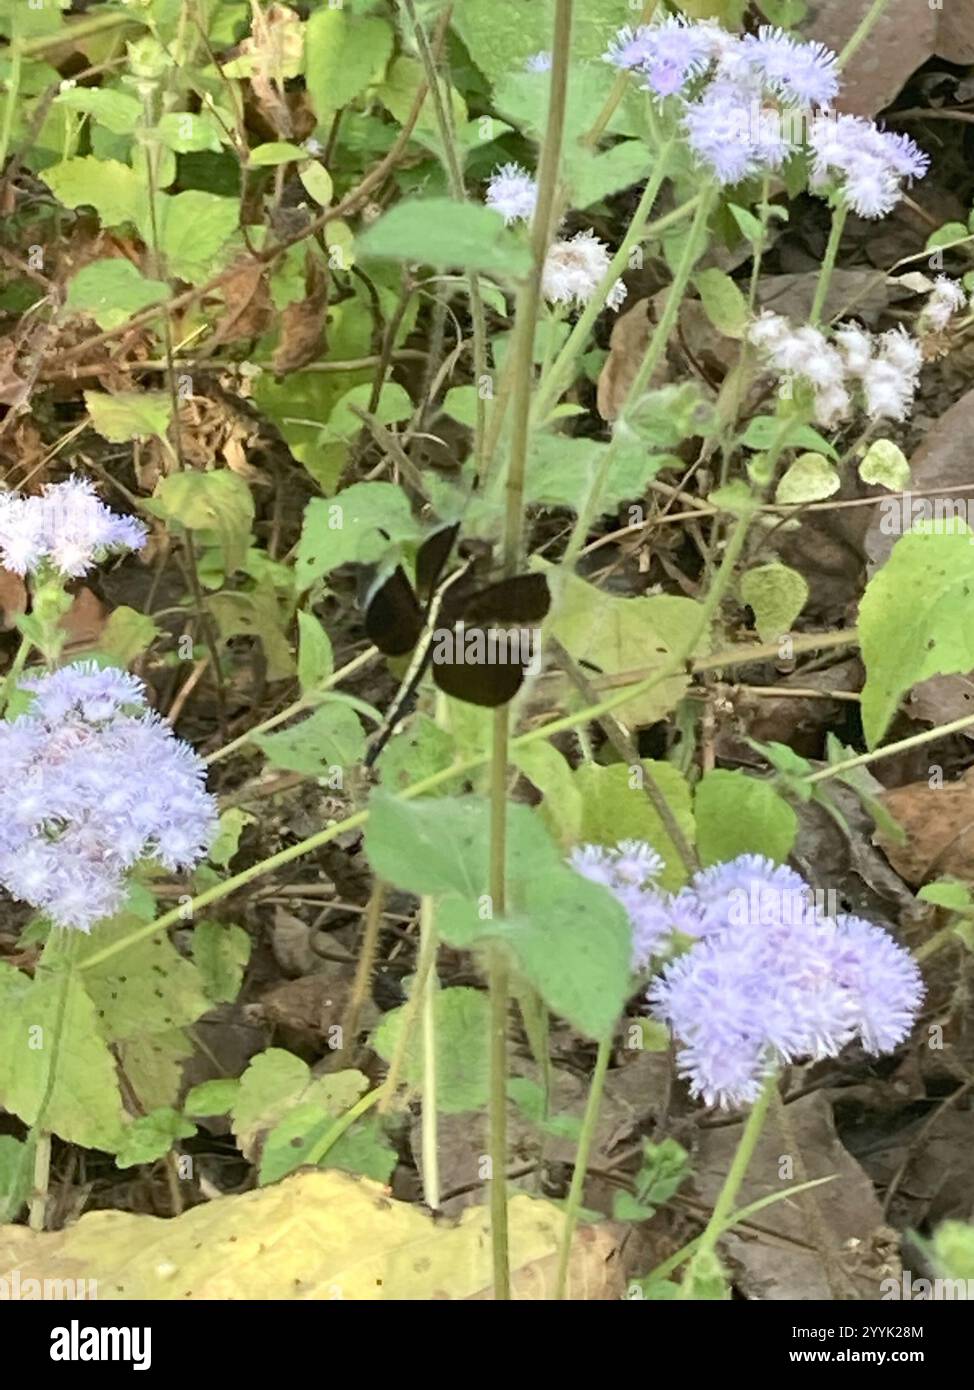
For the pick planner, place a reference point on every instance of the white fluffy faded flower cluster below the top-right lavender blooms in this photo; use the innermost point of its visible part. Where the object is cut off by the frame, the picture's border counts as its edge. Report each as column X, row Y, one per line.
column 880, row 372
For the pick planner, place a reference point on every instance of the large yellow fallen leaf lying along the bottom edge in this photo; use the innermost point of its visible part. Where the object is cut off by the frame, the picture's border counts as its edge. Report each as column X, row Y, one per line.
column 315, row 1236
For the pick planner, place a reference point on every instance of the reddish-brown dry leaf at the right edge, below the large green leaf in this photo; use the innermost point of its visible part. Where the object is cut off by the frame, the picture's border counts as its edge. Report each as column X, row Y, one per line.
column 940, row 831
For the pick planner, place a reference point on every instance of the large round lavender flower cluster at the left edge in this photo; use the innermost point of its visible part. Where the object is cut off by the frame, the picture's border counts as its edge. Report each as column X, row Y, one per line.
column 94, row 783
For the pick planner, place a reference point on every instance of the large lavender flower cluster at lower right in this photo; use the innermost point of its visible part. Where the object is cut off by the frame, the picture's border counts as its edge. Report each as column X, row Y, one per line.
column 769, row 978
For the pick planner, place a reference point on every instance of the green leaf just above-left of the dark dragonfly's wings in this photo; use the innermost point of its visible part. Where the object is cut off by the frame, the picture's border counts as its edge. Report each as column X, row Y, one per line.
column 348, row 529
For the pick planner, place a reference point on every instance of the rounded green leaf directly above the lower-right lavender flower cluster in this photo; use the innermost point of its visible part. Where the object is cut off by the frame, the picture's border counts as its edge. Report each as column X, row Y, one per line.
column 740, row 815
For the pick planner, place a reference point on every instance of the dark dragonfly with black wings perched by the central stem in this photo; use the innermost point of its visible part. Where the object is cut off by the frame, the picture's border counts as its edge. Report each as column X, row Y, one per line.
column 480, row 639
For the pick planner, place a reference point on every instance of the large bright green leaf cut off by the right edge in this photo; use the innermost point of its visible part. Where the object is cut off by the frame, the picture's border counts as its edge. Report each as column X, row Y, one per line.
column 916, row 618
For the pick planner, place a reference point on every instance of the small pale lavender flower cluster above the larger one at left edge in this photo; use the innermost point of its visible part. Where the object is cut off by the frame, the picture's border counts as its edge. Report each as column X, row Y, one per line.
column 67, row 528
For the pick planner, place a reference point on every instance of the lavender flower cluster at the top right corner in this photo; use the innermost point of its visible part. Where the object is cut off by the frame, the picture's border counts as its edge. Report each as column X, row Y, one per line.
column 750, row 104
